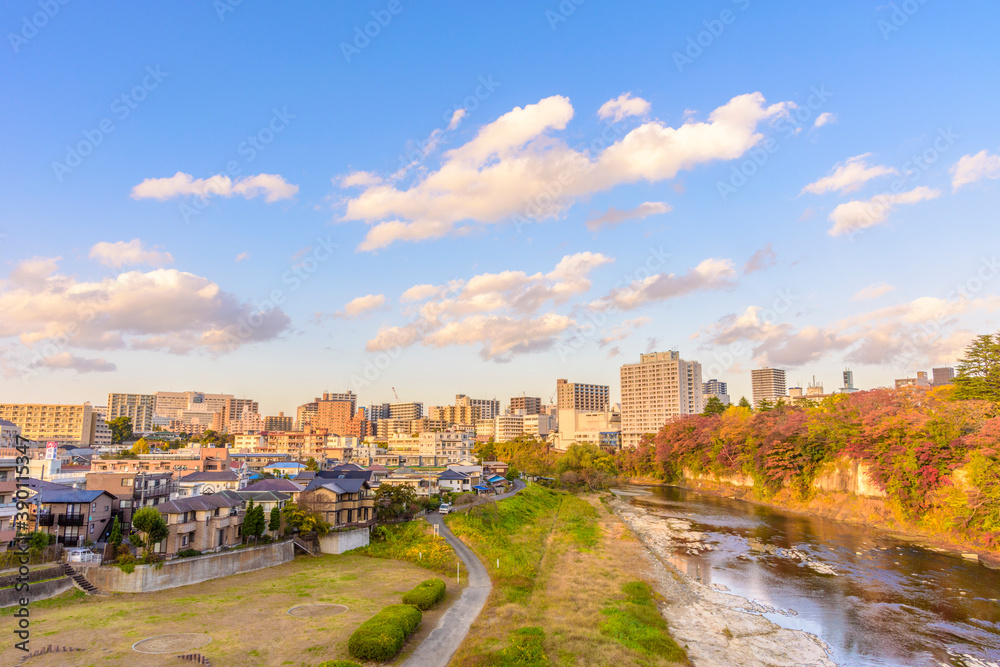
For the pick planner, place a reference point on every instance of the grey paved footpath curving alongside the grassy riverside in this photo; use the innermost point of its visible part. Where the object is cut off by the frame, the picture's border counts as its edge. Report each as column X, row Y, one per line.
column 436, row 650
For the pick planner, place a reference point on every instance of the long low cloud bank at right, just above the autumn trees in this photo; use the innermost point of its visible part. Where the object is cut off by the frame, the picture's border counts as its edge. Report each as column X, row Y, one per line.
column 915, row 333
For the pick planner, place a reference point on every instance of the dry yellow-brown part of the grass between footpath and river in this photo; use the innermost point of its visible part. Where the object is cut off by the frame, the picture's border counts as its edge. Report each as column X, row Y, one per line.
column 588, row 556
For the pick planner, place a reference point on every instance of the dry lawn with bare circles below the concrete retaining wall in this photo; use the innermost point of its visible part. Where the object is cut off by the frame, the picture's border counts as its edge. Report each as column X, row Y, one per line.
column 245, row 615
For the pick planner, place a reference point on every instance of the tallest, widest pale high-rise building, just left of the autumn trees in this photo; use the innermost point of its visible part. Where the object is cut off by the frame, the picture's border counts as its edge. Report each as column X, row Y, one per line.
column 658, row 388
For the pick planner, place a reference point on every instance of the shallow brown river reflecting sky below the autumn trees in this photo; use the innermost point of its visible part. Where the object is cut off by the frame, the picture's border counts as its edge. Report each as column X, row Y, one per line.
column 888, row 602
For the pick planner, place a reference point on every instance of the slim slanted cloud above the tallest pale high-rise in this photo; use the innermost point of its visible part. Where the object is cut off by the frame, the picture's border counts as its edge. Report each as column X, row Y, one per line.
column 710, row 274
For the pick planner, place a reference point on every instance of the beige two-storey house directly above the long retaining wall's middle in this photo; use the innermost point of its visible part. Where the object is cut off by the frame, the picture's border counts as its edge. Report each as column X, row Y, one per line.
column 204, row 523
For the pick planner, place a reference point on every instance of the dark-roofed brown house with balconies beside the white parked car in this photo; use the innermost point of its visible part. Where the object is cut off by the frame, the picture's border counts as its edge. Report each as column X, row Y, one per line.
column 74, row 515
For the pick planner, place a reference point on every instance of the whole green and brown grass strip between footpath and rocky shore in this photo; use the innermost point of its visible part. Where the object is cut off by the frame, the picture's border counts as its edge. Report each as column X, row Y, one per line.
column 569, row 589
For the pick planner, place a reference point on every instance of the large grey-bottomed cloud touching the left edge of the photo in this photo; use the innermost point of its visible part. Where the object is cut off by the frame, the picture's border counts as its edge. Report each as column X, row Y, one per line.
column 161, row 309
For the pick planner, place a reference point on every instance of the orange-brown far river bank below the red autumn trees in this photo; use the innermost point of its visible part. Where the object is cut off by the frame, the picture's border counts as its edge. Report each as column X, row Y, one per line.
column 846, row 508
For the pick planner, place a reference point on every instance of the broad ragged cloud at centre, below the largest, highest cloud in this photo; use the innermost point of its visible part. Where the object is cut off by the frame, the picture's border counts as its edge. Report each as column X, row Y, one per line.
column 498, row 312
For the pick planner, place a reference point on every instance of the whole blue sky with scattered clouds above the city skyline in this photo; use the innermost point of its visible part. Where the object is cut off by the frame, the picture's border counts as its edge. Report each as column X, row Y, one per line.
column 767, row 175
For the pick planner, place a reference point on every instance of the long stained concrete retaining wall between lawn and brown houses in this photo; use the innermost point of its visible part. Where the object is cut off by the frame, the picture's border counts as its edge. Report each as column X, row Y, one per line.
column 185, row 571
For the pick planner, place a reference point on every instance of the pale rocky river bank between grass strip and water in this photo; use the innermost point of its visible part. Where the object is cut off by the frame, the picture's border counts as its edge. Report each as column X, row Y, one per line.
column 716, row 628
